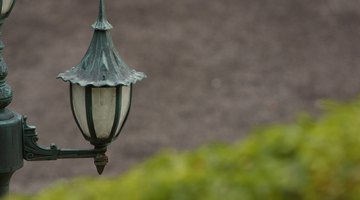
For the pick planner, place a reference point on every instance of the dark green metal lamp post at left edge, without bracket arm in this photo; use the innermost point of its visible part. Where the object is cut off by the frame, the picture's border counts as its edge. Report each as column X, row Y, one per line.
column 11, row 158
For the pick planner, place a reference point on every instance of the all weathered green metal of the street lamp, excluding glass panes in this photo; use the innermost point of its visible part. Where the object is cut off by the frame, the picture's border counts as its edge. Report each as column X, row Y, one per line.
column 100, row 67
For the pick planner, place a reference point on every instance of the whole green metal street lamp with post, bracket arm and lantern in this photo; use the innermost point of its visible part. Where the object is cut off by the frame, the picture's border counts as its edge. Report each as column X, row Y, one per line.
column 100, row 96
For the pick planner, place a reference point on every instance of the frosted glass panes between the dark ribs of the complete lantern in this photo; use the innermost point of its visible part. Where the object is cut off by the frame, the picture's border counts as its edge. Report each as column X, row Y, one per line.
column 103, row 108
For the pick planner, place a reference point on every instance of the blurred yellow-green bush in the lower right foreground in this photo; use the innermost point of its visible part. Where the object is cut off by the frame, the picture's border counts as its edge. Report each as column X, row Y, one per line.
column 309, row 159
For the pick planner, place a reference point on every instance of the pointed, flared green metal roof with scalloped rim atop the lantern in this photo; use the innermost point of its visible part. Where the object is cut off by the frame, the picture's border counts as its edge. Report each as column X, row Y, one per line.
column 102, row 65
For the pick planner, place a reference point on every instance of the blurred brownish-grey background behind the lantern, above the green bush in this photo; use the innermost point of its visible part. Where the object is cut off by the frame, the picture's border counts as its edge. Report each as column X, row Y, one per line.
column 215, row 70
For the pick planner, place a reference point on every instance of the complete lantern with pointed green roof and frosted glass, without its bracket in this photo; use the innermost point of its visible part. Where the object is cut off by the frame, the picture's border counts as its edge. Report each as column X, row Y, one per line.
column 101, row 87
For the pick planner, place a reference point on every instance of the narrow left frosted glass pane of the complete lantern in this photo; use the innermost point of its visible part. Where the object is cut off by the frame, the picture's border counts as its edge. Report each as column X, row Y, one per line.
column 79, row 108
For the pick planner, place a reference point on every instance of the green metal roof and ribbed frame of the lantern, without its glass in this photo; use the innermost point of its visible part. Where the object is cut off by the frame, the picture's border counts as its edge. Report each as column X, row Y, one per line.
column 101, row 66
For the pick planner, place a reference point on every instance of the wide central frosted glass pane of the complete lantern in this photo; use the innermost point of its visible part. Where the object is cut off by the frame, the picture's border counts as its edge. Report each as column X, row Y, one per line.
column 103, row 107
